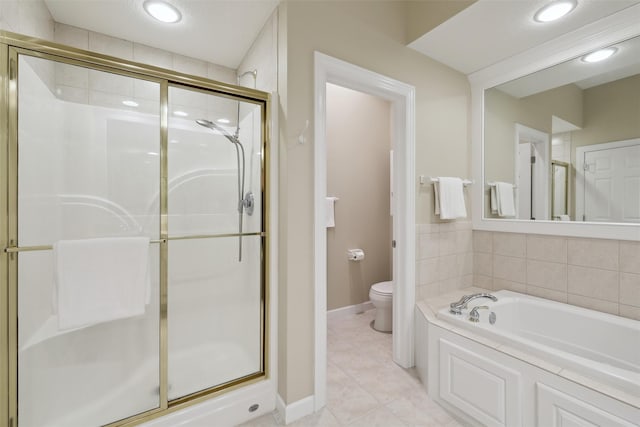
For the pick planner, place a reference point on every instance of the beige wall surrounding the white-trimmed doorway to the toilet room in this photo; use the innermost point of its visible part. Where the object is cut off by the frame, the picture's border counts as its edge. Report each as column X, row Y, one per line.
column 370, row 35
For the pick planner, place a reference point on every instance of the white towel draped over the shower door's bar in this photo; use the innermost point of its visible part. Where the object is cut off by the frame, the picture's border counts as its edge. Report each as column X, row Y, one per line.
column 99, row 280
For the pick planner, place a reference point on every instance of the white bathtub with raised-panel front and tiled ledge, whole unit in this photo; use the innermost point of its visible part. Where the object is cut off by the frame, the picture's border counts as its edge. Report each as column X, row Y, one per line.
column 540, row 363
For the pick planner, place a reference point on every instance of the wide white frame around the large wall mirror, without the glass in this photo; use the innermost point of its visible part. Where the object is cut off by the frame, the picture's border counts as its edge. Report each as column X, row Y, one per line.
column 609, row 30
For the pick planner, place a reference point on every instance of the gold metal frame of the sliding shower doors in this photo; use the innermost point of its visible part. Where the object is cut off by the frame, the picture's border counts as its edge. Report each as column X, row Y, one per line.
column 11, row 45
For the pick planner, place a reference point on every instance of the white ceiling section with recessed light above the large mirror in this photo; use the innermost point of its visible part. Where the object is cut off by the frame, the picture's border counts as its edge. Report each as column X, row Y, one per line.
column 489, row 31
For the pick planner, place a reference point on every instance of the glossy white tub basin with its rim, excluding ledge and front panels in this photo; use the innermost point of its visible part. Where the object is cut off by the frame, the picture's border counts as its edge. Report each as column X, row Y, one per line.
column 599, row 345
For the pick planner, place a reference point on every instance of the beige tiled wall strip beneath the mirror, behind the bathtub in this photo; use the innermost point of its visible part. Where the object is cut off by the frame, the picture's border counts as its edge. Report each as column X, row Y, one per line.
column 599, row 274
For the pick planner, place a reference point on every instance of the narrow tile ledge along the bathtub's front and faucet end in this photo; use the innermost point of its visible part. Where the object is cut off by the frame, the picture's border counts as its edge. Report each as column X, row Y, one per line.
column 430, row 306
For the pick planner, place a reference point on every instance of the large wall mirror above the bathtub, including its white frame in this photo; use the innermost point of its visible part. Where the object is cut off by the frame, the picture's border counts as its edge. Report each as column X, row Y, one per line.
column 561, row 143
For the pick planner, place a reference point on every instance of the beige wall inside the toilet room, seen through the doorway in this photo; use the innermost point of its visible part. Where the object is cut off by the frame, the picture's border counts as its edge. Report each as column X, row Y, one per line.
column 358, row 144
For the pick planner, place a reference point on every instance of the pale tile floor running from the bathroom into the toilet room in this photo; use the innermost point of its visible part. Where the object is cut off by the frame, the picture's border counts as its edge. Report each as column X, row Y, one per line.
column 364, row 387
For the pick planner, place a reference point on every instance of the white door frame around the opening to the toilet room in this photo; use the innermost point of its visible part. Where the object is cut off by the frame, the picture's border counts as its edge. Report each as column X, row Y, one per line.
column 402, row 98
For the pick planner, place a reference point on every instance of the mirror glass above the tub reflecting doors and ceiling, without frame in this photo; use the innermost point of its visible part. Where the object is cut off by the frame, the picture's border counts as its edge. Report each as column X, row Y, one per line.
column 568, row 139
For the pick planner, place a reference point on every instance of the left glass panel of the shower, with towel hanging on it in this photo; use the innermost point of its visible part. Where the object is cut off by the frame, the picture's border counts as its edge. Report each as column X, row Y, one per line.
column 88, row 172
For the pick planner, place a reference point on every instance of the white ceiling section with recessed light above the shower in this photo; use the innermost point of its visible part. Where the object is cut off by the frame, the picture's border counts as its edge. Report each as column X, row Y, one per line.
column 218, row 31
